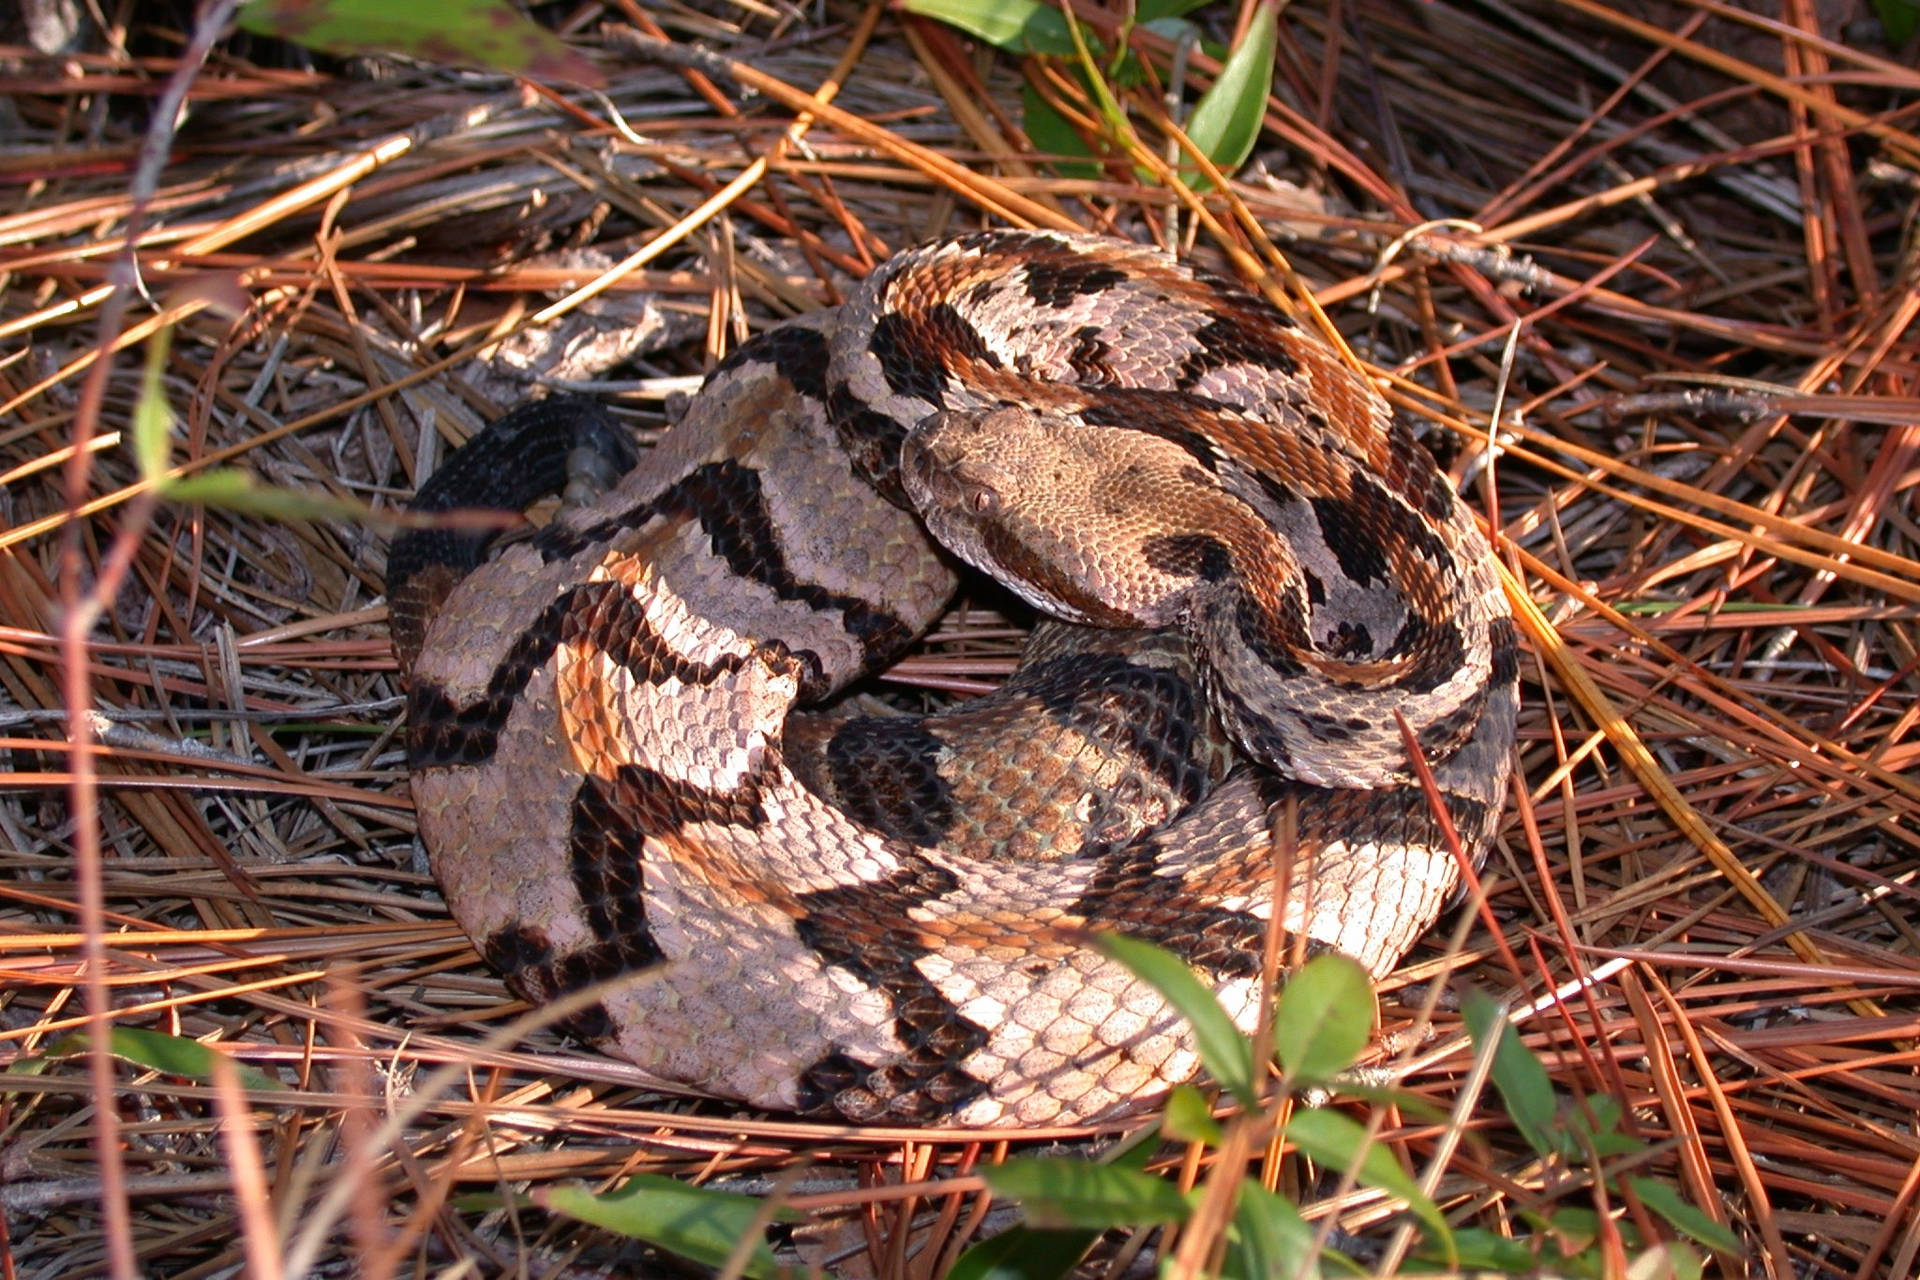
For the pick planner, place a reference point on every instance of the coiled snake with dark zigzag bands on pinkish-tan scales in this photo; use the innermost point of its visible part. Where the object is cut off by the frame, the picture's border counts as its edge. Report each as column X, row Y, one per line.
column 631, row 765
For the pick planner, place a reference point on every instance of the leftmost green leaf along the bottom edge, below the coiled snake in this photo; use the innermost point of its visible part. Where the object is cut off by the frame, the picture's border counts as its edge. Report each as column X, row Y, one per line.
column 692, row 1221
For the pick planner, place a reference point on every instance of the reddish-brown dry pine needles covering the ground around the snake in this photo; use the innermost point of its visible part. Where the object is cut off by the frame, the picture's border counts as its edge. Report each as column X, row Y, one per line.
column 1706, row 486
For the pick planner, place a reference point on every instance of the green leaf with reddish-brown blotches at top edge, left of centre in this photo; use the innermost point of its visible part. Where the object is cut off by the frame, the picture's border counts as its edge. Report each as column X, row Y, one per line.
column 479, row 34
